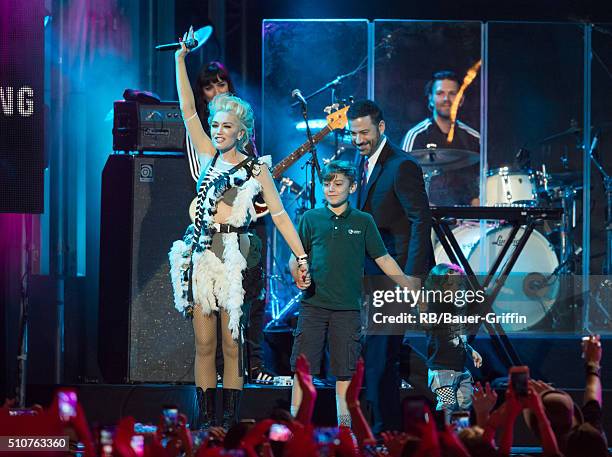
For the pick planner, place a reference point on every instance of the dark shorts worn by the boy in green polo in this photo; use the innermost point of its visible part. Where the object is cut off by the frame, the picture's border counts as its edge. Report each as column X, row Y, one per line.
column 341, row 329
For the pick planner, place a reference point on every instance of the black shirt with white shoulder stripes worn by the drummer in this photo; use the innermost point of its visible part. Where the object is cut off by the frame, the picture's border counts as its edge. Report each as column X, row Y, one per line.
column 456, row 187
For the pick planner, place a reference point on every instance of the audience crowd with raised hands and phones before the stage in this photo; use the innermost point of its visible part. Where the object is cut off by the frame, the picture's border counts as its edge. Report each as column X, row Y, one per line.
column 562, row 427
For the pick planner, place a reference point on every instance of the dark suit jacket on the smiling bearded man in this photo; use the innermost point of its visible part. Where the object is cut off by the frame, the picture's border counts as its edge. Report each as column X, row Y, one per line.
column 395, row 196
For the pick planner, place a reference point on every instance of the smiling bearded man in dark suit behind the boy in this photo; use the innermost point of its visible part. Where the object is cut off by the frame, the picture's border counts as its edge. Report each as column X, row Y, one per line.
column 393, row 192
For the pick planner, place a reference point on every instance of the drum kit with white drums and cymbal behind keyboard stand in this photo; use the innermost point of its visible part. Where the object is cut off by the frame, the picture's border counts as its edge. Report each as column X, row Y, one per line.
column 533, row 287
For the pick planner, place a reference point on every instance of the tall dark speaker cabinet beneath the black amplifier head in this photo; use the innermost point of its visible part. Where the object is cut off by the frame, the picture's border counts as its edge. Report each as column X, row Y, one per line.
column 142, row 338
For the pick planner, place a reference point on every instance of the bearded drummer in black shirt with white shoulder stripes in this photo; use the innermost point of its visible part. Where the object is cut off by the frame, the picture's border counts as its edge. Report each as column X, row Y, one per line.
column 455, row 187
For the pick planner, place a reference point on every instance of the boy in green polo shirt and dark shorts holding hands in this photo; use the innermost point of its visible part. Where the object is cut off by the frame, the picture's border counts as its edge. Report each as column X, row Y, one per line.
column 336, row 238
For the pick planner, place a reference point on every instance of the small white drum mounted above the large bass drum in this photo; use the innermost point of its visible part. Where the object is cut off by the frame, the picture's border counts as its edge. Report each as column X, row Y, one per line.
column 506, row 187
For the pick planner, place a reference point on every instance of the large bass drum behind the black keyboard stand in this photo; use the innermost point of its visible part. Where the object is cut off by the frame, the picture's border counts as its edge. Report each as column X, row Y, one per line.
column 527, row 291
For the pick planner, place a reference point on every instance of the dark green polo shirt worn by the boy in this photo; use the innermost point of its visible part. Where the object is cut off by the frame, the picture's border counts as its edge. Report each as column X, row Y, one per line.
column 336, row 248
